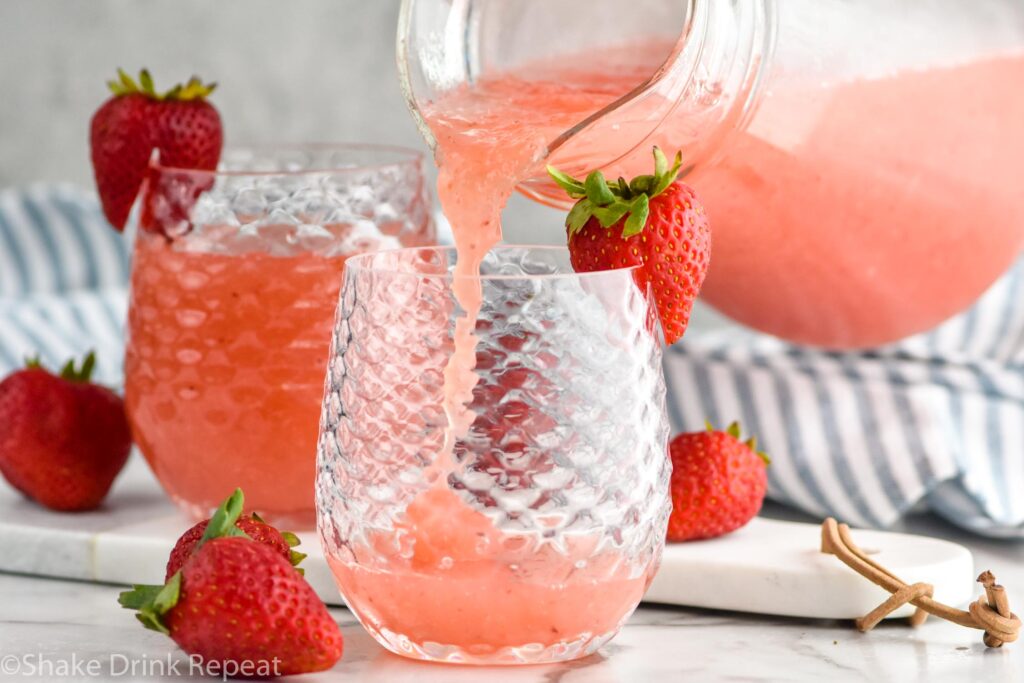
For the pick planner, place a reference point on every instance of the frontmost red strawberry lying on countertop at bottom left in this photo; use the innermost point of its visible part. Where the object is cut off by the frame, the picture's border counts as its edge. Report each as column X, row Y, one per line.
column 238, row 601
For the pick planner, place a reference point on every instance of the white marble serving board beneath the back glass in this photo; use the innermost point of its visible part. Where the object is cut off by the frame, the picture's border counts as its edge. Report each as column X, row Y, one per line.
column 770, row 567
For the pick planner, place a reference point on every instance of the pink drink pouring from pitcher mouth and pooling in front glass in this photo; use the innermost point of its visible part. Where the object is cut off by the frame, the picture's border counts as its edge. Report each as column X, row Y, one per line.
column 460, row 587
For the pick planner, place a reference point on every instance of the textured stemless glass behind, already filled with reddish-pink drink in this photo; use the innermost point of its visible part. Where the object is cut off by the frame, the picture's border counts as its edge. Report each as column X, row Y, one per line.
column 235, row 281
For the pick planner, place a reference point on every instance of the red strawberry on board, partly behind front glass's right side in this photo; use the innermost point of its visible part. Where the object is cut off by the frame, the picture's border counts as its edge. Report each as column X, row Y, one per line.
column 718, row 484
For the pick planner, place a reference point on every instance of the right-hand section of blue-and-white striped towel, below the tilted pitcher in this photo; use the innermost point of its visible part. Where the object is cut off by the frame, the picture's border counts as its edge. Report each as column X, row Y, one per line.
column 936, row 420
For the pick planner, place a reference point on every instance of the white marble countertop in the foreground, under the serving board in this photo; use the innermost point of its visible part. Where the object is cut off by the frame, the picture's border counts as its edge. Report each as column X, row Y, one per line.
column 45, row 623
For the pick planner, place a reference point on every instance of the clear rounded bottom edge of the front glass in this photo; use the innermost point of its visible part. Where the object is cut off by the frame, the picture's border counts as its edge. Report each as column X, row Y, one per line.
column 535, row 654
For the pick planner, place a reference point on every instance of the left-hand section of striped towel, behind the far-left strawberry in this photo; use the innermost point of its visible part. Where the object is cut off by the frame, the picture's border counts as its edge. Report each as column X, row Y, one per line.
column 64, row 275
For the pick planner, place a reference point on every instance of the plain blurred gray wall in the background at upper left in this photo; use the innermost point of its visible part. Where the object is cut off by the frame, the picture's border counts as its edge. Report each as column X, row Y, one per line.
column 289, row 71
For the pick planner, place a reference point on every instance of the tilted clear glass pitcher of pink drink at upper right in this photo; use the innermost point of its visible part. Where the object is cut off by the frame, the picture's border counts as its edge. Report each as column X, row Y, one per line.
column 862, row 161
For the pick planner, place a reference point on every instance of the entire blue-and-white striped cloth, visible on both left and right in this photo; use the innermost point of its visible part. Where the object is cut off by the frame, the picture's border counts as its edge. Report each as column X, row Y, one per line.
column 936, row 420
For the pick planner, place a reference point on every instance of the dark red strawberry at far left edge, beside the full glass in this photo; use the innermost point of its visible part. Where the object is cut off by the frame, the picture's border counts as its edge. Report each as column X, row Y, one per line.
column 63, row 440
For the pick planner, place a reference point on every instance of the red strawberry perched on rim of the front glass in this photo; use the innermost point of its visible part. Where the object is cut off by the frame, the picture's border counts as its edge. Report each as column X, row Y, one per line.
column 655, row 222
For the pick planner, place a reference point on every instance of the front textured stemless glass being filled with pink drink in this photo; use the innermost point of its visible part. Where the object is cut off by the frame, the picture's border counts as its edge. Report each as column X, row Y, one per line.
column 536, row 536
